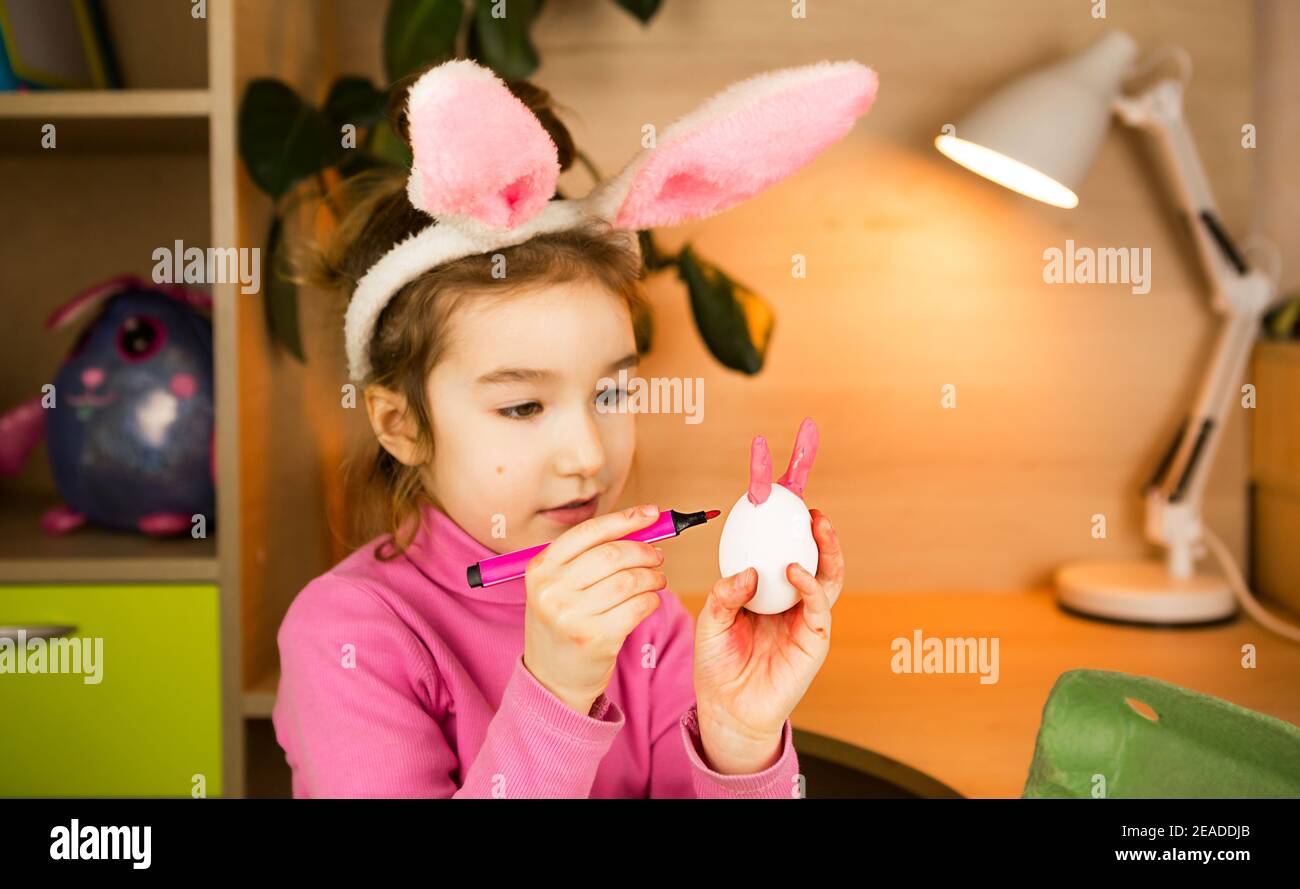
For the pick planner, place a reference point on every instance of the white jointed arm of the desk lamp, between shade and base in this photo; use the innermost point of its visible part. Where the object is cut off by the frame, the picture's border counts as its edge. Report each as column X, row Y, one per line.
column 1241, row 294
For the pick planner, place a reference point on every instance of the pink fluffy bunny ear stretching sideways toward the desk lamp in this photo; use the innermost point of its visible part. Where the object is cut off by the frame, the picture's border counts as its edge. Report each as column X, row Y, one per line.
column 747, row 138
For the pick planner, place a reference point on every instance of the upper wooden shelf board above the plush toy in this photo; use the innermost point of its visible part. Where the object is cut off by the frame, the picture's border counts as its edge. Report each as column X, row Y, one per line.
column 55, row 105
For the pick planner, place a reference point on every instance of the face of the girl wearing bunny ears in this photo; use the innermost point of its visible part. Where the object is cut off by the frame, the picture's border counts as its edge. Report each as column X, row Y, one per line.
column 518, row 426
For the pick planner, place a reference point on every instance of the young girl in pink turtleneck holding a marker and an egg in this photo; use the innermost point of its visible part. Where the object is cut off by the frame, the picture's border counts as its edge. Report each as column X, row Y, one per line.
column 586, row 678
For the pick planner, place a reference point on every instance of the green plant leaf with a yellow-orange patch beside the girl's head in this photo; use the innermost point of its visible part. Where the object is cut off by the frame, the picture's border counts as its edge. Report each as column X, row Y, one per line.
column 735, row 323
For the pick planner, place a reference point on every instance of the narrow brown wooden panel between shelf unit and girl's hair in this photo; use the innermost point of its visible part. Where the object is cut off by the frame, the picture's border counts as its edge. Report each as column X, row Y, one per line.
column 284, row 453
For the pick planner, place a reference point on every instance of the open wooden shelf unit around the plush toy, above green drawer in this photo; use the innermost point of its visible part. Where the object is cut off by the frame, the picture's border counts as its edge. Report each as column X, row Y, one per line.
column 132, row 170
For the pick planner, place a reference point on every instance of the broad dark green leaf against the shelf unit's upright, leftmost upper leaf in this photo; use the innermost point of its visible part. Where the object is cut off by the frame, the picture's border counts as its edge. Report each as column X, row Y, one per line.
column 283, row 140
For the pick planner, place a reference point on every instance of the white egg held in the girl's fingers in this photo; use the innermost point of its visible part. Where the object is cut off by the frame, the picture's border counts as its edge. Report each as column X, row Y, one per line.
column 769, row 537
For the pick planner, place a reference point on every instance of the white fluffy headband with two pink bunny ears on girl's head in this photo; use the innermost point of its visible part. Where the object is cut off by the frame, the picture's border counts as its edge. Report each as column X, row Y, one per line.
column 486, row 171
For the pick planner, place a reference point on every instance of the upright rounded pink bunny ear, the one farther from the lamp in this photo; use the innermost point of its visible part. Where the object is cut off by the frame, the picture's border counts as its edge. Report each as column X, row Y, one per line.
column 479, row 151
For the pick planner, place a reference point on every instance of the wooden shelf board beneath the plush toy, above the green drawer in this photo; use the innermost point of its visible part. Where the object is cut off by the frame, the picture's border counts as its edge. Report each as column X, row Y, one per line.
column 28, row 556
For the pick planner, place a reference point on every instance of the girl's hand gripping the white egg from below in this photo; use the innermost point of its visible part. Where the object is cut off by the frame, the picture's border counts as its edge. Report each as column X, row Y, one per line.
column 752, row 670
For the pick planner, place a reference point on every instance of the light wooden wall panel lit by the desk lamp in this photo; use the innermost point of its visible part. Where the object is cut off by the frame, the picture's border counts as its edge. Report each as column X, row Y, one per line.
column 921, row 275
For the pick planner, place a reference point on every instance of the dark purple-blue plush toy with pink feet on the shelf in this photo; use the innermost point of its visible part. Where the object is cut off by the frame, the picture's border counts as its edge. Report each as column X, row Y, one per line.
column 131, row 422
